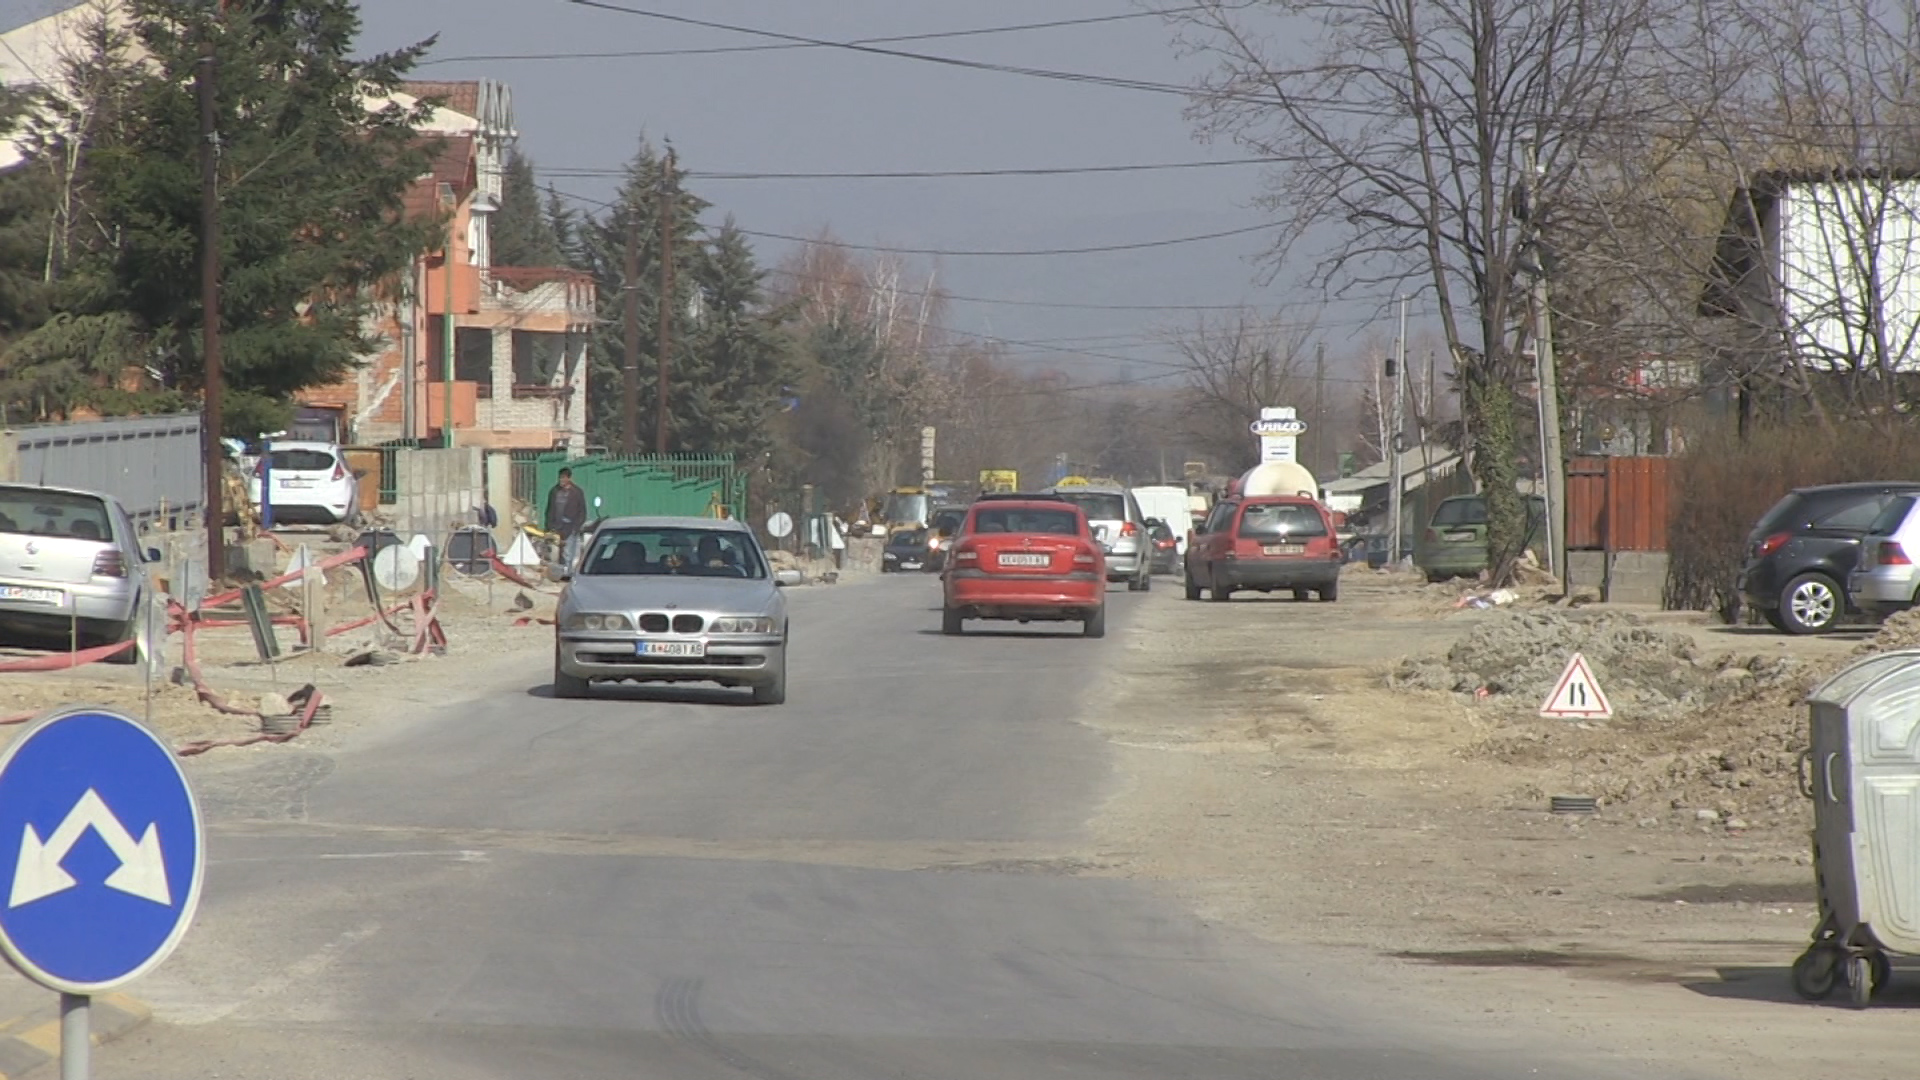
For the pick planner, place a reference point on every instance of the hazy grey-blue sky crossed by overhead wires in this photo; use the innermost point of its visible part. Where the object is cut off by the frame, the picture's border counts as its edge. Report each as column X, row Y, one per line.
column 834, row 110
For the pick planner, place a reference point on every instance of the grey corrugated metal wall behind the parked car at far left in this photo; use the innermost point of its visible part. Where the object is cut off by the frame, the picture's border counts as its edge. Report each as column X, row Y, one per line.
column 151, row 464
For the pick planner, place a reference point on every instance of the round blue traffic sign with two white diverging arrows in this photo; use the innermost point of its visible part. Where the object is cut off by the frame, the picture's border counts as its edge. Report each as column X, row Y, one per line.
column 101, row 850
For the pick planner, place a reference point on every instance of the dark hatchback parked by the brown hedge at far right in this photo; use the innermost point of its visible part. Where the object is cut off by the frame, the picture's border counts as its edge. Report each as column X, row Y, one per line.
column 1802, row 552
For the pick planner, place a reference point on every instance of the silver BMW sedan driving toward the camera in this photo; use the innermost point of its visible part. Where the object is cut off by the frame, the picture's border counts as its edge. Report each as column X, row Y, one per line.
column 673, row 601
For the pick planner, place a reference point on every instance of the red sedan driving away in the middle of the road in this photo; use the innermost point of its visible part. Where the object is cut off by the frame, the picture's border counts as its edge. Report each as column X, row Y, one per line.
column 1032, row 560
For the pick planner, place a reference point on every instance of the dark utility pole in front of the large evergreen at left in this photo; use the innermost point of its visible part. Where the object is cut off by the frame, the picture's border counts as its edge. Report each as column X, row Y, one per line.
column 210, row 314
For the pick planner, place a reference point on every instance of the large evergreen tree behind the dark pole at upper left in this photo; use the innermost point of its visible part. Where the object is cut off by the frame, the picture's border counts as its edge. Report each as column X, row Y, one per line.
column 312, row 205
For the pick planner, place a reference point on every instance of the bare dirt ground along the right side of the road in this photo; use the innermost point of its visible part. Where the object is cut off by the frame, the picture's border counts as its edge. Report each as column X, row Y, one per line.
column 1374, row 775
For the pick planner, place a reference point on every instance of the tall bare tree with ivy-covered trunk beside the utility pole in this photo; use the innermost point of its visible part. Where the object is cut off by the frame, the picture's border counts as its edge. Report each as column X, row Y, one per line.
column 1435, row 137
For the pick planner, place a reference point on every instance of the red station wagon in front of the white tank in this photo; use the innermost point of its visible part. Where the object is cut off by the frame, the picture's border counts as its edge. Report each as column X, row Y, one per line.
column 1264, row 545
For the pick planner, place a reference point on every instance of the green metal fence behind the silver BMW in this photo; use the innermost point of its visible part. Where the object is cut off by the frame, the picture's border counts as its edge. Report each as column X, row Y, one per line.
column 638, row 485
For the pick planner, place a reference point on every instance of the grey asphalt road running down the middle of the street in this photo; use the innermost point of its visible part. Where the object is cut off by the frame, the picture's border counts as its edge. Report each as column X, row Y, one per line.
column 876, row 881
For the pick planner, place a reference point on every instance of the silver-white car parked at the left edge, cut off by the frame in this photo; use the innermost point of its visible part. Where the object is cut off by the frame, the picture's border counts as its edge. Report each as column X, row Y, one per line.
column 70, row 568
